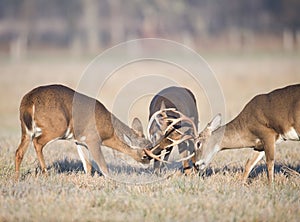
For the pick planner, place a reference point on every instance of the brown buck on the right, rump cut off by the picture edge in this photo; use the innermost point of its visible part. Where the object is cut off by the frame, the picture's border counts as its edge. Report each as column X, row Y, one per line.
column 266, row 120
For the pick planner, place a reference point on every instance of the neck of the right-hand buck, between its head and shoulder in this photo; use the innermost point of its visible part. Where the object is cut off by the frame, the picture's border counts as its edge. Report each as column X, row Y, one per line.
column 234, row 135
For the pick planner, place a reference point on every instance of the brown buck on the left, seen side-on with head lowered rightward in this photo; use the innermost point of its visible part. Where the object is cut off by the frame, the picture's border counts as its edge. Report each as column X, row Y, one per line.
column 54, row 112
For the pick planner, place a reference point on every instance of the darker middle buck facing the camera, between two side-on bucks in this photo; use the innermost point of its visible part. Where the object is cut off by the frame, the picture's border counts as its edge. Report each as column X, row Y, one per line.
column 170, row 105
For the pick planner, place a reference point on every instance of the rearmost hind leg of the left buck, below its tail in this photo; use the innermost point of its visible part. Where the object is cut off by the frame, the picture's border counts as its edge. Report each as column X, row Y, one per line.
column 22, row 148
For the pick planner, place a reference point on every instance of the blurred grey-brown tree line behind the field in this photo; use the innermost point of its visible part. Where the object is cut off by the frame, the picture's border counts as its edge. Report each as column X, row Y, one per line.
column 89, row 26
